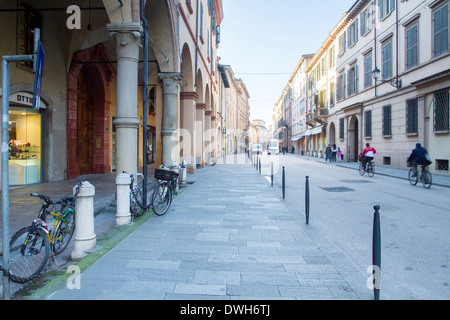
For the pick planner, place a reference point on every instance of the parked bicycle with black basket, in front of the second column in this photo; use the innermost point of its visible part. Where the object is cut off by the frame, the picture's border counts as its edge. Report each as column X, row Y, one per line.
column 165, row 189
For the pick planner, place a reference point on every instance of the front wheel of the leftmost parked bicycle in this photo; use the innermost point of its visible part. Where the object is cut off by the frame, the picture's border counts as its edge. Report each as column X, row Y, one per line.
column 29, row 251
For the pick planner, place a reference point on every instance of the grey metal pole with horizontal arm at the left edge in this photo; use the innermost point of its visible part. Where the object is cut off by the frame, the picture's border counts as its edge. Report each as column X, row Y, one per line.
column 5, row 165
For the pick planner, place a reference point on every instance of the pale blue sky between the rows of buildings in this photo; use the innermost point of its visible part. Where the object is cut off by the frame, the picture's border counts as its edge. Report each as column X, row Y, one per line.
column 263, row 40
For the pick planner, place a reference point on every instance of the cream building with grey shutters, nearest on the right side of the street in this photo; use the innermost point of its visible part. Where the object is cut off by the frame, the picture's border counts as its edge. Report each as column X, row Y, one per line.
column 407, row 42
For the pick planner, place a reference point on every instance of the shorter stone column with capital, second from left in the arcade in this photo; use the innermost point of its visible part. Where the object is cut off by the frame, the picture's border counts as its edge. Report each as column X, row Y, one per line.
column 169, row 125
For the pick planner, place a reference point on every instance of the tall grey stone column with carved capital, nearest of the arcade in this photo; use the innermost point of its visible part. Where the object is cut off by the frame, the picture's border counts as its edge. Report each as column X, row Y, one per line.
column 127, row 37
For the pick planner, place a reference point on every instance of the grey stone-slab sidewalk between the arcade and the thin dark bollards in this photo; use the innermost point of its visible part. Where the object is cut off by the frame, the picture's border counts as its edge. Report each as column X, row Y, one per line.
column 229, row 236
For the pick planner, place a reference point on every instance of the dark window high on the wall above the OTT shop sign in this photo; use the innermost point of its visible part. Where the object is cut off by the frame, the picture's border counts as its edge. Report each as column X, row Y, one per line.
column 29, row 19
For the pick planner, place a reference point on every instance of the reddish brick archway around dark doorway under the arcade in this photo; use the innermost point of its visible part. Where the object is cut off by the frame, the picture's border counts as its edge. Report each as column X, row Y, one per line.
column 88, row 113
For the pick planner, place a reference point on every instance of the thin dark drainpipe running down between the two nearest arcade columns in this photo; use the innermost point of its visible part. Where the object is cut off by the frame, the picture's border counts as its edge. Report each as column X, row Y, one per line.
column 145, row 107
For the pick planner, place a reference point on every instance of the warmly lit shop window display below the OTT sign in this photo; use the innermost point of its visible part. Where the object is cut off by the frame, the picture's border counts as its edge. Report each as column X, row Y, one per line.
column 24, row 146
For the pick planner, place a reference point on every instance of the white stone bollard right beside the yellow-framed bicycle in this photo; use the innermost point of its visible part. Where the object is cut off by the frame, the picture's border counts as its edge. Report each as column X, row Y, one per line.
column 85, row 238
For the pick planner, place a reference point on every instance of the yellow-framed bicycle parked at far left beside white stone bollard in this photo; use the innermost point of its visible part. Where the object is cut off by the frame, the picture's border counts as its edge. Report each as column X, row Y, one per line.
column 50, row 233
